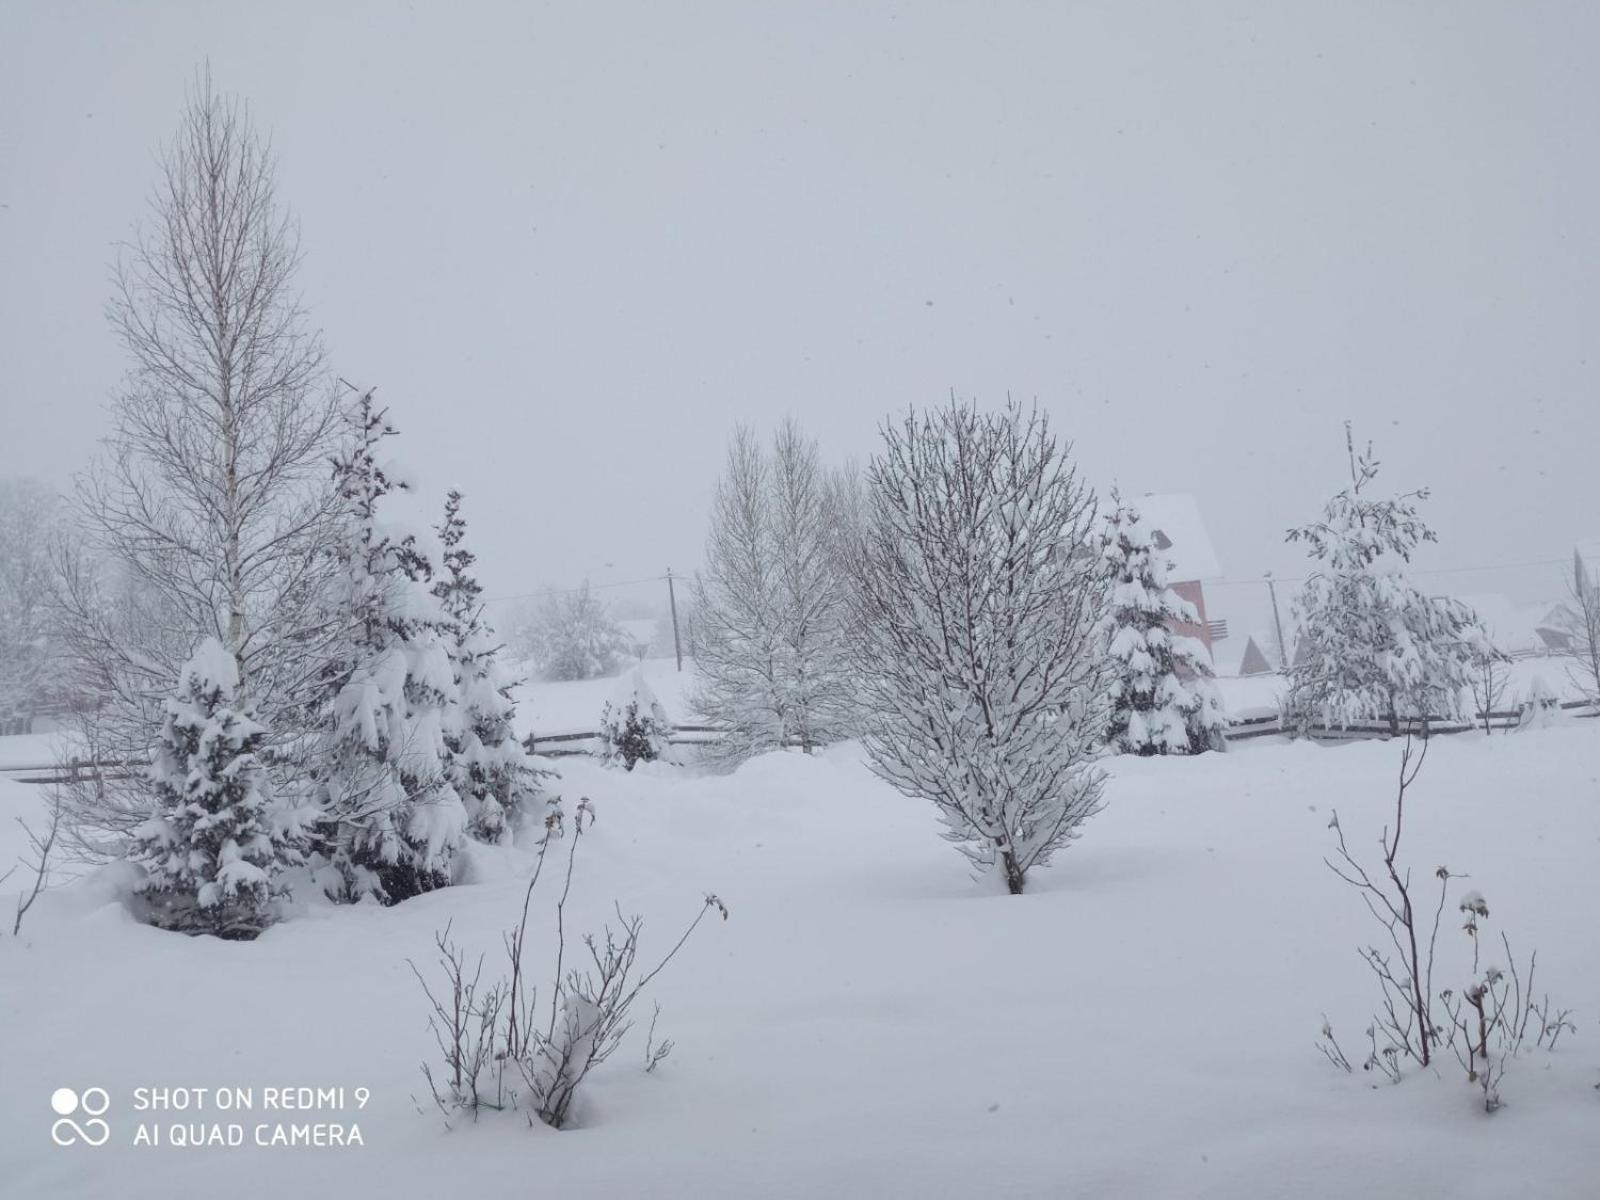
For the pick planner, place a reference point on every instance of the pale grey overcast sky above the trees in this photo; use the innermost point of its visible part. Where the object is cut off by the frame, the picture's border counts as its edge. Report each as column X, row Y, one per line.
column 575, row 244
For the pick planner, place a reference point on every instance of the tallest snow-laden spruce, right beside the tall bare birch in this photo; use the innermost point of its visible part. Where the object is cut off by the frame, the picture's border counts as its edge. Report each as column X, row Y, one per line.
column 393, row 818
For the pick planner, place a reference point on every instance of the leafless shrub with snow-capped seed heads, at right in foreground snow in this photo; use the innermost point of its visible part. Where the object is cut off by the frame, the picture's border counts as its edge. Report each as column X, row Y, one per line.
column 1487, row 1023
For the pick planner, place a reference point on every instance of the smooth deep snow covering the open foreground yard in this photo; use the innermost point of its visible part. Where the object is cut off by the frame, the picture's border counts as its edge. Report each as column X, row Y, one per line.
column 870, row 1022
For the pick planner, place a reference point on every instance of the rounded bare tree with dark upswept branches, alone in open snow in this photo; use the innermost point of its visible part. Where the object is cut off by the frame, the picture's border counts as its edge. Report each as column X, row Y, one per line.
column 980, row 638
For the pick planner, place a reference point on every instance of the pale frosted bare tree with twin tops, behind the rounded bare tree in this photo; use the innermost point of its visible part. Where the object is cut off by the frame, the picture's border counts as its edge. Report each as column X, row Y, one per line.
column 770, row 606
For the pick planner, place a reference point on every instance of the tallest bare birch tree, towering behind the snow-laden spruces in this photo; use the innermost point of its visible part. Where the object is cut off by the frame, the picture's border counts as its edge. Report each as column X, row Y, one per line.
column 210, row 510
